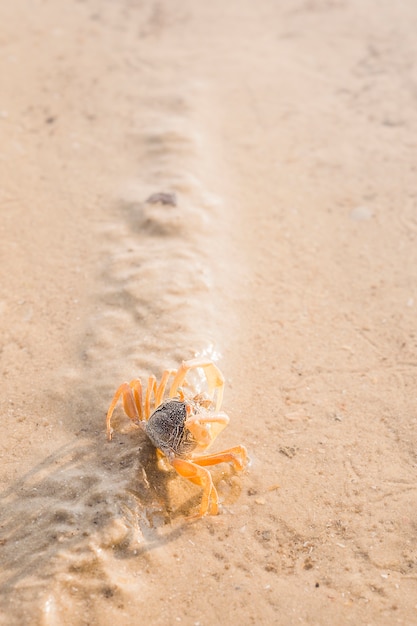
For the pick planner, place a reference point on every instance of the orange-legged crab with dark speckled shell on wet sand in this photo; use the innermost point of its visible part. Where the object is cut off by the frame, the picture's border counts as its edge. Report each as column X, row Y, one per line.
column 184, row 425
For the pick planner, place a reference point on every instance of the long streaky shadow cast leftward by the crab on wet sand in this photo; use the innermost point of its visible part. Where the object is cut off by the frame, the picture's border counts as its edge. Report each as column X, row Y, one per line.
column 66, row 504
